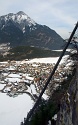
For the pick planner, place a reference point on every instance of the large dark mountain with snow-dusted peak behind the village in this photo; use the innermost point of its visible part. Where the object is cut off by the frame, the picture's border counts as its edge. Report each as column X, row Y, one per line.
column 20, row 29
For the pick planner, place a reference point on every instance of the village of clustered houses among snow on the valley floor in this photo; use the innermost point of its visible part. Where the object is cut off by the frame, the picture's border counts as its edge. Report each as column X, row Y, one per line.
column 18, row 77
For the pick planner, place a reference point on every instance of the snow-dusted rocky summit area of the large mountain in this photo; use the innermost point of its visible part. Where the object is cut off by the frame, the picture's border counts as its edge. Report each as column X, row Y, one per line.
column 19, row 18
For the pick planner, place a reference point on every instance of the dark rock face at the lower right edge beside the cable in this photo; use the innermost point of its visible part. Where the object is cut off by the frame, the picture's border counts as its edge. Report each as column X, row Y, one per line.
column 68, row 114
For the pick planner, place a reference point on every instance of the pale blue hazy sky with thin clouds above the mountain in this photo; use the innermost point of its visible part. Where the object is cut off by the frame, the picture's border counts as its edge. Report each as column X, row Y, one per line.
column 59, row 15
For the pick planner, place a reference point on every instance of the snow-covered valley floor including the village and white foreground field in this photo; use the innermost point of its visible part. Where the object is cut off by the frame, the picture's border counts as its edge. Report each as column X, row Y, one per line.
column 21, row 83
